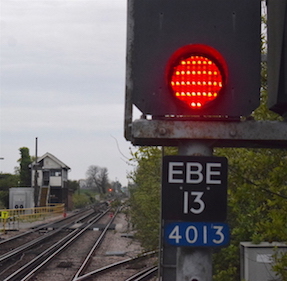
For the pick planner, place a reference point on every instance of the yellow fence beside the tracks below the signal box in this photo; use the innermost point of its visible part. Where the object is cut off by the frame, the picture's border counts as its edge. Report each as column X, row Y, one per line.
column 31, row 214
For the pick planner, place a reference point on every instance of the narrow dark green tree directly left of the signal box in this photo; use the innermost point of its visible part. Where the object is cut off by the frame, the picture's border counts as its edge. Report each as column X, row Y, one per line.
column 25, row 172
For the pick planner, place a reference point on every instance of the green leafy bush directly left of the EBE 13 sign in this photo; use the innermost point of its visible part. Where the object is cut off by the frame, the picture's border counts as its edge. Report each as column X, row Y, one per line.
column 145, row 195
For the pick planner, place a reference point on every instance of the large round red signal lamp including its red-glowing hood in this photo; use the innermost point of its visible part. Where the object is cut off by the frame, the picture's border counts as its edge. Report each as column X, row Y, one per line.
column 197, row 75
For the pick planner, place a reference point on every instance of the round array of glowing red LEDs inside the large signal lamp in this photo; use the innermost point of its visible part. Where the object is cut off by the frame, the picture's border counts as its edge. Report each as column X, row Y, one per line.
column 196, row 80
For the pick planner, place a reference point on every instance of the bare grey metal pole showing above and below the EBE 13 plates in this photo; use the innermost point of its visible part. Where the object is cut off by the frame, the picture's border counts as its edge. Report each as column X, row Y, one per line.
column 194, row 264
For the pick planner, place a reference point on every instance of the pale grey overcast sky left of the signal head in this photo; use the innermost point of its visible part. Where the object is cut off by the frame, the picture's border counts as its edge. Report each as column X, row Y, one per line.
column 63, row 80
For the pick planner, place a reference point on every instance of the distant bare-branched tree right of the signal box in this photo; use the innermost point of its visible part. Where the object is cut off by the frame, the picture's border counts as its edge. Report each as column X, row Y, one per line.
column 97, row 178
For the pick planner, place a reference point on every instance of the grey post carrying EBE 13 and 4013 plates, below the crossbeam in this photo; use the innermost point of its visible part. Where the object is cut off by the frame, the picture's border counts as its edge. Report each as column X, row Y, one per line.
column 194, row 204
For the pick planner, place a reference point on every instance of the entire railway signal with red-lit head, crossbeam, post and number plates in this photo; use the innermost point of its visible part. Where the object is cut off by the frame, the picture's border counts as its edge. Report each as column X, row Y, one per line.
column 193, row 71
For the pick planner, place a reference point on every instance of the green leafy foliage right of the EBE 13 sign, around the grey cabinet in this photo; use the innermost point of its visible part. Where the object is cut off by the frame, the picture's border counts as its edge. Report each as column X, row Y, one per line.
column 257, row 194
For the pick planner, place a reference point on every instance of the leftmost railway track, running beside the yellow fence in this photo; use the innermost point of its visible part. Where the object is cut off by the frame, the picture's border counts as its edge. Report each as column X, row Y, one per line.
column 24, row 257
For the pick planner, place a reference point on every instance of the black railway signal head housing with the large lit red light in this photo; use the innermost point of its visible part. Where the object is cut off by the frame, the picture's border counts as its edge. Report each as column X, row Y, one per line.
column 188, row 58
